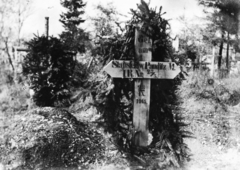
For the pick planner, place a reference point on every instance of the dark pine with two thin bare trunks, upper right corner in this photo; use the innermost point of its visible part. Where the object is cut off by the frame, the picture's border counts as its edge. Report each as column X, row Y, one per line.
column 224, row 18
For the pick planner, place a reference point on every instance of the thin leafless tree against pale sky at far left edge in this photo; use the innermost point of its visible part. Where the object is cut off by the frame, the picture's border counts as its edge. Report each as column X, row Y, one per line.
column 12, row 18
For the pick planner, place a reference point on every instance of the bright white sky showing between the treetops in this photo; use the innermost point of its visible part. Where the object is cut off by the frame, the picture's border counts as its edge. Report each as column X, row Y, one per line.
column 35, row 23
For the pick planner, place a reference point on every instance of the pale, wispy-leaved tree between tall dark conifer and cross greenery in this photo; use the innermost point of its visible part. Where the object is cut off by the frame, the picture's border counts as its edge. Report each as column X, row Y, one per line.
column 106, row 25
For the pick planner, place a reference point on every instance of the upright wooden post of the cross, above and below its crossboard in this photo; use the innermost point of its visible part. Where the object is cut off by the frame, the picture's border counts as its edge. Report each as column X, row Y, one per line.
column 142, row 87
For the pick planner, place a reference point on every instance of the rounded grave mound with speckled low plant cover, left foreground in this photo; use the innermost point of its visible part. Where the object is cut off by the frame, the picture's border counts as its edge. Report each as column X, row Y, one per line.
column 47, row 137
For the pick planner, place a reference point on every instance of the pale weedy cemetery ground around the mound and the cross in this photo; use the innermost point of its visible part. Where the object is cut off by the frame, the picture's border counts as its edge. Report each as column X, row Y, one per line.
column 212, row 112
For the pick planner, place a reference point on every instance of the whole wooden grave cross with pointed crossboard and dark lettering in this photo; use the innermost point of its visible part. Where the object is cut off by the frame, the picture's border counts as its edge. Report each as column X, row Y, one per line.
column 142, row 73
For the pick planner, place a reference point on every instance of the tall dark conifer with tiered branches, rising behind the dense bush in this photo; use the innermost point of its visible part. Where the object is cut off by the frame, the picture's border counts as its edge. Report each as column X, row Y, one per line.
column 73, row 36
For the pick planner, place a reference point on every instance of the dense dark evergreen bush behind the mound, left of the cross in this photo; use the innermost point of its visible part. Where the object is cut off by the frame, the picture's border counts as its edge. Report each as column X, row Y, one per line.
column 50, row 69
